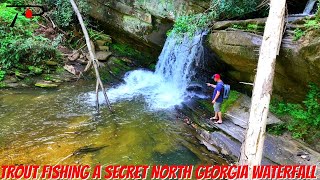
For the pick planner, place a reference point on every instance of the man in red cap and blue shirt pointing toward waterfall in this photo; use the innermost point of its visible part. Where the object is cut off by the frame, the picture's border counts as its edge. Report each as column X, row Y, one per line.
column 217, row 98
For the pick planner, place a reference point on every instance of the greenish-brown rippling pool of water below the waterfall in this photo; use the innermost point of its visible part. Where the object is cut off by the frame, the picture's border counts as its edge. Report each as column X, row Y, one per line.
column 58, row 127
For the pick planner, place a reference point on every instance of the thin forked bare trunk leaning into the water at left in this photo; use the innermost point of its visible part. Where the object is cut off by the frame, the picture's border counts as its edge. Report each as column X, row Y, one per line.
column 92, row 60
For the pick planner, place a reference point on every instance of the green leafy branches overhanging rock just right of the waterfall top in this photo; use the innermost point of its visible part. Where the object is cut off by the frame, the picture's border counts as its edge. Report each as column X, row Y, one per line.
column 226, row 9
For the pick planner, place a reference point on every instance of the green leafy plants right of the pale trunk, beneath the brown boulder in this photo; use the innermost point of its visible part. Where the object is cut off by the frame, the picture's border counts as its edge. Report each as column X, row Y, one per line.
column 304, row 118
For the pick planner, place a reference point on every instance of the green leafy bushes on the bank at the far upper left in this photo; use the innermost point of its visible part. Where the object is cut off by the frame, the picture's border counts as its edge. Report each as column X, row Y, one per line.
column 18, row 44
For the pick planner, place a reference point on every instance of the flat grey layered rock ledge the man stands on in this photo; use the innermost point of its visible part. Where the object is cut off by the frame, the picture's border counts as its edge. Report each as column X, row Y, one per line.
column 226, row 138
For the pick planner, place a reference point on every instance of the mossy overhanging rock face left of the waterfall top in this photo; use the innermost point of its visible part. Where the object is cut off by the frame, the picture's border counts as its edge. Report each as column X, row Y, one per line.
column 143, row 21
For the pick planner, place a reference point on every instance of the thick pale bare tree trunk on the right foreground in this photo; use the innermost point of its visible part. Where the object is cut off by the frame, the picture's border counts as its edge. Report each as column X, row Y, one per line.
column 252, row 147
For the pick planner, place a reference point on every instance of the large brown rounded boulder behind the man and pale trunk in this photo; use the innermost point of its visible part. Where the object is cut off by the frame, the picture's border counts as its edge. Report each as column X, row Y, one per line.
column 297, row 65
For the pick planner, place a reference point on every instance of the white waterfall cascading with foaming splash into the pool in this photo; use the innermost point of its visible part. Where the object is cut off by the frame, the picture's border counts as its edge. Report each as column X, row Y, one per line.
column 167, row 86
